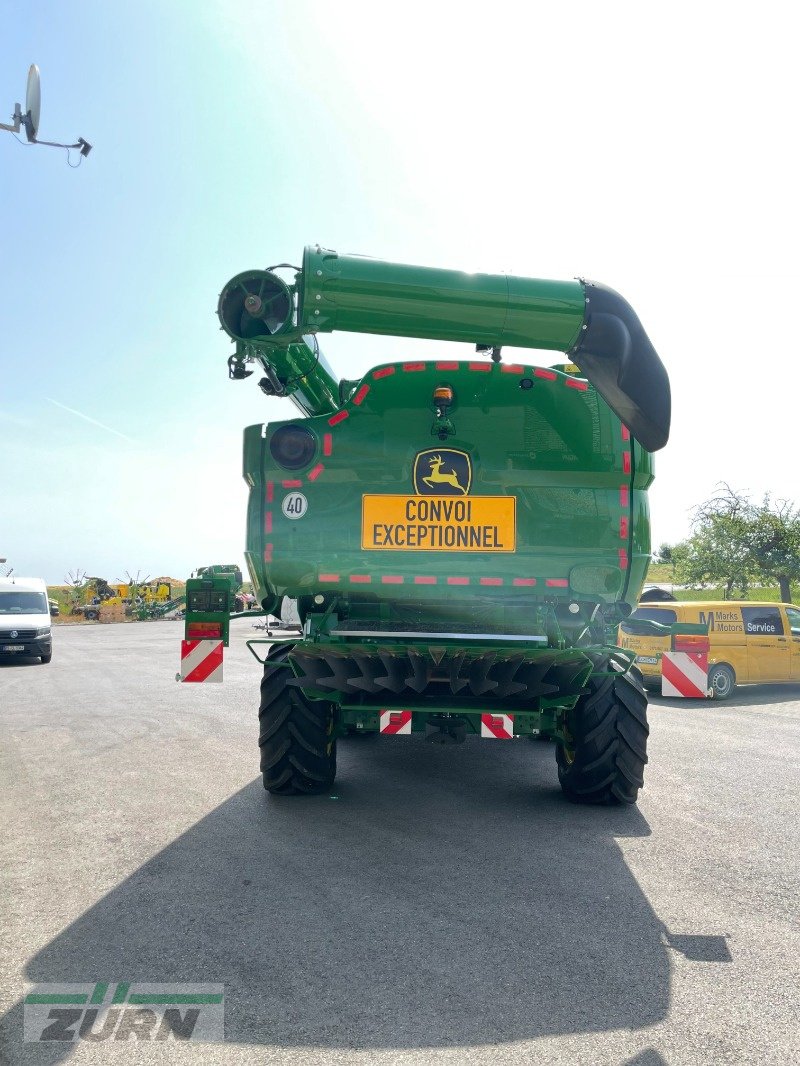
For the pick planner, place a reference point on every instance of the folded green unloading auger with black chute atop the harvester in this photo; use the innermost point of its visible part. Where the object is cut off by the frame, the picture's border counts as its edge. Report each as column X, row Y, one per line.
column 591, row 324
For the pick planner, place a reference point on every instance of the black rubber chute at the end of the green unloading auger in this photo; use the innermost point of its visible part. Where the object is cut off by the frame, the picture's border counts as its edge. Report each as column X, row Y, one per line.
column 618, row 358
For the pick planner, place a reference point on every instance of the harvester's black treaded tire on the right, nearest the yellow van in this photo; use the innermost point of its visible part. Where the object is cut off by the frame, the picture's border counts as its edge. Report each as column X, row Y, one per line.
column 602, row 761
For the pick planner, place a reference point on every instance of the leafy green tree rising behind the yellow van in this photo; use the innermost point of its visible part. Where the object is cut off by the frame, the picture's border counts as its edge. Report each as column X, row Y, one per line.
column 735, row 542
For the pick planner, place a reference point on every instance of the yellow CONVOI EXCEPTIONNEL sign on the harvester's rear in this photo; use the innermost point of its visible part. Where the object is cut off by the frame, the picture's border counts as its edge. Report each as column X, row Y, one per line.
column 439, row 524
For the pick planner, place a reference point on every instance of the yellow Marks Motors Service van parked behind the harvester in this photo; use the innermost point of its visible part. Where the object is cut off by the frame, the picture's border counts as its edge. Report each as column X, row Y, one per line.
column 748, row 641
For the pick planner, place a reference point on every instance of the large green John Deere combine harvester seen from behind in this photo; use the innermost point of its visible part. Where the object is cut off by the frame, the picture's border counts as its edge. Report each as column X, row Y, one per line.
column 461, row 538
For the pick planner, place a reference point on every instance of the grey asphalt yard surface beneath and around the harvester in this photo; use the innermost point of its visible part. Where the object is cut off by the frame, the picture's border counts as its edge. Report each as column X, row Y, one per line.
column 441, row 906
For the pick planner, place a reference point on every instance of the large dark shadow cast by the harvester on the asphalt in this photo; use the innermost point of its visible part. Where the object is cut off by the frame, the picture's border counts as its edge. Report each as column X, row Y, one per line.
column 440, row 897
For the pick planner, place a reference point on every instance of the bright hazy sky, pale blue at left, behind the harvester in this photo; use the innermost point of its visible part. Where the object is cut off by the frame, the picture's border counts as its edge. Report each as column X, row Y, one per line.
column 649, row 148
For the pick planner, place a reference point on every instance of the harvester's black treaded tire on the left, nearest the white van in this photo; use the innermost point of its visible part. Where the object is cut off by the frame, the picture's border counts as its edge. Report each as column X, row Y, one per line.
column 296, row 735
